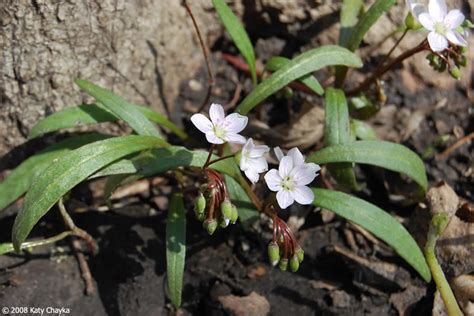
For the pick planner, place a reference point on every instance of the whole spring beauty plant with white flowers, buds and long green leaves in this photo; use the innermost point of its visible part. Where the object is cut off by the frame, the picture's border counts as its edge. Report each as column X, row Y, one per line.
column 237, row 168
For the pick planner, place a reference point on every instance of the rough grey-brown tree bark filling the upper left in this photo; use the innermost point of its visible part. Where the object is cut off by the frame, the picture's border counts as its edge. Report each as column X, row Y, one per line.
column 141, row 49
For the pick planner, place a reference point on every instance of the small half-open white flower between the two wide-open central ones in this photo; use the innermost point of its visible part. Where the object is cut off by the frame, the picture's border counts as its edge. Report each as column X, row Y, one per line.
column 253, row 162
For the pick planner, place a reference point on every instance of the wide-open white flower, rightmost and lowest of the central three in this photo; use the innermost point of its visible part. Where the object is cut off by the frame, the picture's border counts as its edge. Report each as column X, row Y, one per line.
column 291, row 179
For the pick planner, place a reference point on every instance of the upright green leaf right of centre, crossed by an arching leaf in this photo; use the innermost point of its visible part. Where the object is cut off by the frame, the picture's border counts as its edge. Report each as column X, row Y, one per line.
column 337, row 132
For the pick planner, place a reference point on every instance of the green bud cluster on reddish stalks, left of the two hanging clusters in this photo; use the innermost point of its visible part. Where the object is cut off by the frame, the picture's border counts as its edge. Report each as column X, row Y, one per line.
column 212, row 205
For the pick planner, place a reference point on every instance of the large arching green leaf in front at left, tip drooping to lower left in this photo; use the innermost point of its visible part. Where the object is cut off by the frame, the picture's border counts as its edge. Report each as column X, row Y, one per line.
column 69, row 170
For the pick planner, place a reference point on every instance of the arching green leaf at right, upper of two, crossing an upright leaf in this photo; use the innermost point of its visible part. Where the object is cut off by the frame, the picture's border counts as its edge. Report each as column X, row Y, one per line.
column 387, row 155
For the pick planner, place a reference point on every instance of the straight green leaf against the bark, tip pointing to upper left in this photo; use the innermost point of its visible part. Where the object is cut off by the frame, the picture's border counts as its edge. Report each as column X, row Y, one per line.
column 120, row 108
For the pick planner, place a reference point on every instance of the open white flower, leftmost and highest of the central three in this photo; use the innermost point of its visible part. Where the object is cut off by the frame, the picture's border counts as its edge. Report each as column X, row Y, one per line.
column 221, row 128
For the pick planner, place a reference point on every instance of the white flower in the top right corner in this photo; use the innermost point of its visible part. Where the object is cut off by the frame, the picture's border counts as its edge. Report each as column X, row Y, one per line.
column 441, row 24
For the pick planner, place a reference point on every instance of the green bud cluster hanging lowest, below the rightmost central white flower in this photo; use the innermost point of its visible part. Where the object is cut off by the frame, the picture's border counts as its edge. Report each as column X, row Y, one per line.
column 284, row 250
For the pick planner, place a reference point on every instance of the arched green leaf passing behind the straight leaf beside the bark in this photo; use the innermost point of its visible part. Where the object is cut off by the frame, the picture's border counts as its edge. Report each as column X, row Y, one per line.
column 86, row 114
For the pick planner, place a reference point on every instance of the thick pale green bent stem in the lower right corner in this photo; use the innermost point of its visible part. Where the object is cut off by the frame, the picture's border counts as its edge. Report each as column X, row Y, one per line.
column 437, row 226
